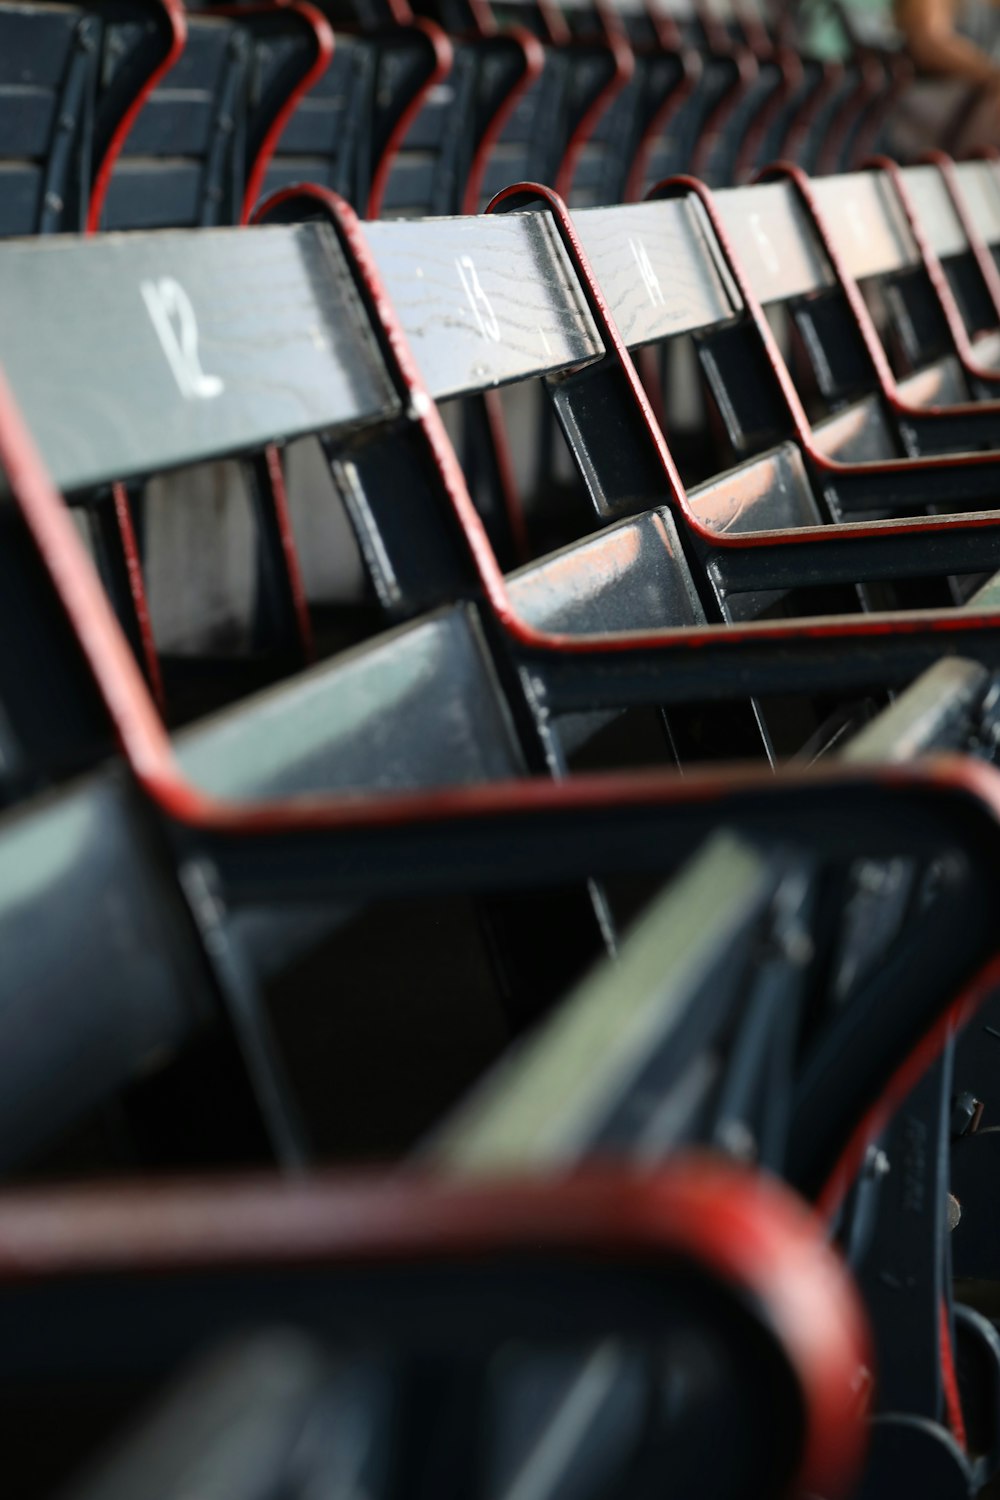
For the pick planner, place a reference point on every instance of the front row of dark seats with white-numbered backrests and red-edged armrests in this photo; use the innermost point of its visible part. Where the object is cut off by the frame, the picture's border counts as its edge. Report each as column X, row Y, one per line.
column 481, row 892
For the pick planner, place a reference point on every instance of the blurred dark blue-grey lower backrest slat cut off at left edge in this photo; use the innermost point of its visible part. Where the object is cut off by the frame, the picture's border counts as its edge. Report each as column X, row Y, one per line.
column 100, row 980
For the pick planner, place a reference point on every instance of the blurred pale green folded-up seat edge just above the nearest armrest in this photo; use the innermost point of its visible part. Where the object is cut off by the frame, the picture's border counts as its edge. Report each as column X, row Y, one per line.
column 615, row 1069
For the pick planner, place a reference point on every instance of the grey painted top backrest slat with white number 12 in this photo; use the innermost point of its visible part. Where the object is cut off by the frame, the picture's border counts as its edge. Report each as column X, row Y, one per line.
column 212, row 344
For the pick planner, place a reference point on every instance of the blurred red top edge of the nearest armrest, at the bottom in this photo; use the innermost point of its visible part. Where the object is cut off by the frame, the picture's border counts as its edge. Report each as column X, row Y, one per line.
column 746, row 1231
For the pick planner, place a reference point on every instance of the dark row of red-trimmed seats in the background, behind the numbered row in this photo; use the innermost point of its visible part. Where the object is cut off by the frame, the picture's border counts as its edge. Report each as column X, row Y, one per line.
column 151, row 113
